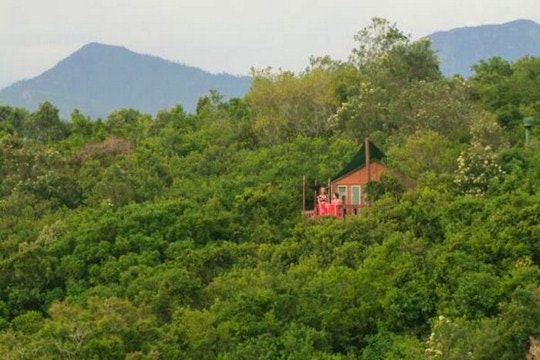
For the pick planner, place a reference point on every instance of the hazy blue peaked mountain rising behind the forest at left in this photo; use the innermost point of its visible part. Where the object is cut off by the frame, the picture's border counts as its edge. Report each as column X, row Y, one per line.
column 98, row 78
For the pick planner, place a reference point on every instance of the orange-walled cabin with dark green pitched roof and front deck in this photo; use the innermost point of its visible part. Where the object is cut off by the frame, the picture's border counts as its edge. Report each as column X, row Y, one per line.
column 350, row 183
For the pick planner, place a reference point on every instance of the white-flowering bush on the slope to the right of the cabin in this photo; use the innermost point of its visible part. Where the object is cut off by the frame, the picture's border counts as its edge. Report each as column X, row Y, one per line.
column 477, row 167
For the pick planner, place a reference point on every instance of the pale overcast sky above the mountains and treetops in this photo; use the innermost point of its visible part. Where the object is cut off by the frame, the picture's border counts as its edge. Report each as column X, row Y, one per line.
column 223, row 35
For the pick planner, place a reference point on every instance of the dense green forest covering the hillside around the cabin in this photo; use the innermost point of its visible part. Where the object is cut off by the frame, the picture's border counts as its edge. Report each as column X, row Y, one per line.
column 180, row 236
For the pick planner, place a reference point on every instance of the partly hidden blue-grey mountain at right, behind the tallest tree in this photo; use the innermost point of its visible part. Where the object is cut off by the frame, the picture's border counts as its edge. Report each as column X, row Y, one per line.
column 459, row 49
